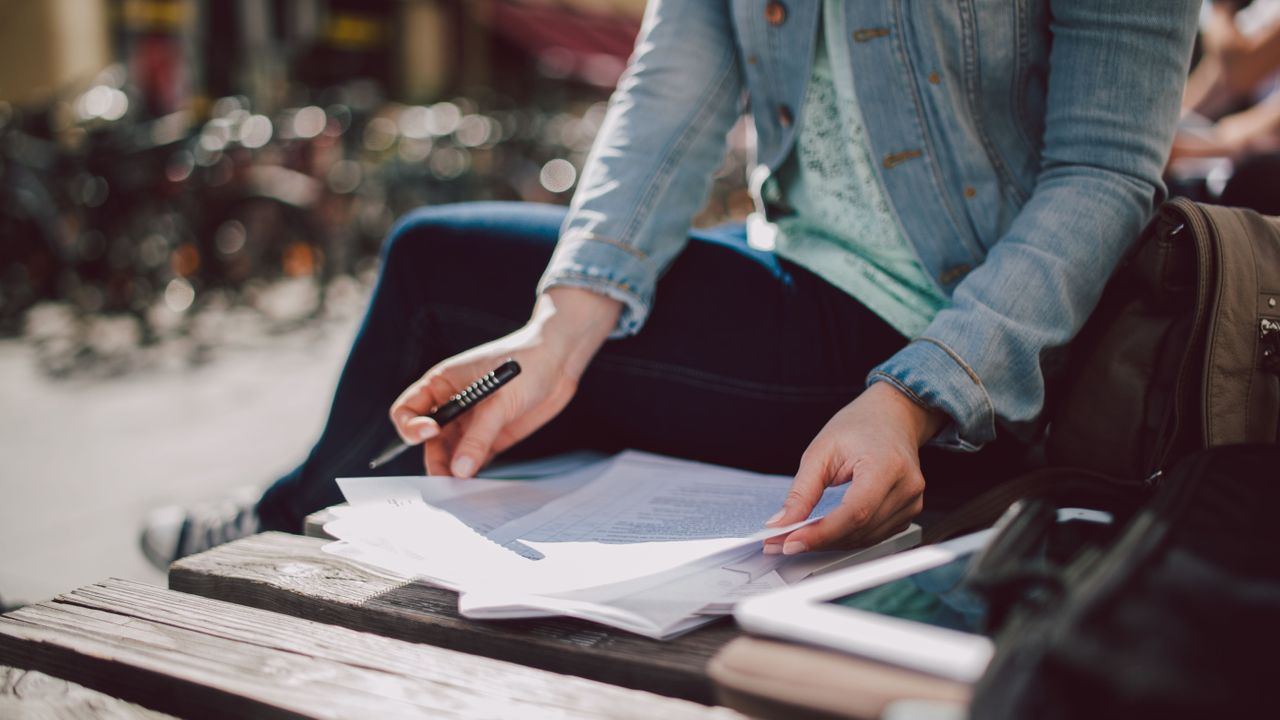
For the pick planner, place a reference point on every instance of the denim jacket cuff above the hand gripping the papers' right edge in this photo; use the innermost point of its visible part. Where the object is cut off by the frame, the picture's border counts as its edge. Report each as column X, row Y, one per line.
column 935, row 377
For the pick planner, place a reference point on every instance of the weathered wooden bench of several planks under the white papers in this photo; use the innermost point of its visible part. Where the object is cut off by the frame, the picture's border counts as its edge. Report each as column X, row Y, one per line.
column 273, row 627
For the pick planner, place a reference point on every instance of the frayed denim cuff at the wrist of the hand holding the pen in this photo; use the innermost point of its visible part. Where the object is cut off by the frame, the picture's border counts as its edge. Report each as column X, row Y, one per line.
column 609, row 268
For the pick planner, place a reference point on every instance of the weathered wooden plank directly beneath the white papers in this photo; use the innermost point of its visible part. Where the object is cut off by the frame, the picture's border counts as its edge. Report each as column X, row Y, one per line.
column 292, row 576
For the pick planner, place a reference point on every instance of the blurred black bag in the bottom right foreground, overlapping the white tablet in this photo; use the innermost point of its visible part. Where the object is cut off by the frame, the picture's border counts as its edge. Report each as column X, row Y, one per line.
column 1178, row 616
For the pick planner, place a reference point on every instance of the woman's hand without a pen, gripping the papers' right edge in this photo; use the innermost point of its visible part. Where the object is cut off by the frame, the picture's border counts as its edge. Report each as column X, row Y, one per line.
column 874, row 444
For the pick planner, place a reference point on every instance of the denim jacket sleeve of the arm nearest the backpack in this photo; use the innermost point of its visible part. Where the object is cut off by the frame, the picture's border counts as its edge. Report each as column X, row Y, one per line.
column 1116, row 79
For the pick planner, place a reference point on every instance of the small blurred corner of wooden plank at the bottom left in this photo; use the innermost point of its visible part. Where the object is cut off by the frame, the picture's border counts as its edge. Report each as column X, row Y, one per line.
column 36, row 696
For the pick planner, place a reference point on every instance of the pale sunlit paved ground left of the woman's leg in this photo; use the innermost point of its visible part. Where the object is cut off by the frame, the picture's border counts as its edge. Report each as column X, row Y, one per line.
column 84, row 459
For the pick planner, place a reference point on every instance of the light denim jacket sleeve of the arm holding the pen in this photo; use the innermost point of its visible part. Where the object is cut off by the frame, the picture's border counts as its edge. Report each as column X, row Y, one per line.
column 652, row 163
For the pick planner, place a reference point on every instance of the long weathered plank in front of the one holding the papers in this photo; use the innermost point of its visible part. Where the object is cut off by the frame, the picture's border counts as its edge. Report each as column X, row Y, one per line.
column 198, row 658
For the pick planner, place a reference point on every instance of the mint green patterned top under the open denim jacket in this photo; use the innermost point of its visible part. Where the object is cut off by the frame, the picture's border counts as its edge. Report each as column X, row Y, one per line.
column 843, row 227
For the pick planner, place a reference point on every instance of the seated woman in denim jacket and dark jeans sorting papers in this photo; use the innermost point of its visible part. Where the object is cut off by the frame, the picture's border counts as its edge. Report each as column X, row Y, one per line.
column 948, row 188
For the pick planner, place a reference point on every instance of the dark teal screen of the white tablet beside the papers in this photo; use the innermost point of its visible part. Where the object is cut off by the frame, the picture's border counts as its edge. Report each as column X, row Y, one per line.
column 935, row 596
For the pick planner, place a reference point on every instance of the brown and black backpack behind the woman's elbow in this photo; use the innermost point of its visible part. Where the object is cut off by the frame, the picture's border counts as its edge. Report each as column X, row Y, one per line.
column 1183, row 353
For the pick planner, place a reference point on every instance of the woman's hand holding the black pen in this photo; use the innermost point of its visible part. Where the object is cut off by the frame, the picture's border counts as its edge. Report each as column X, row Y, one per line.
column 554, row 349
